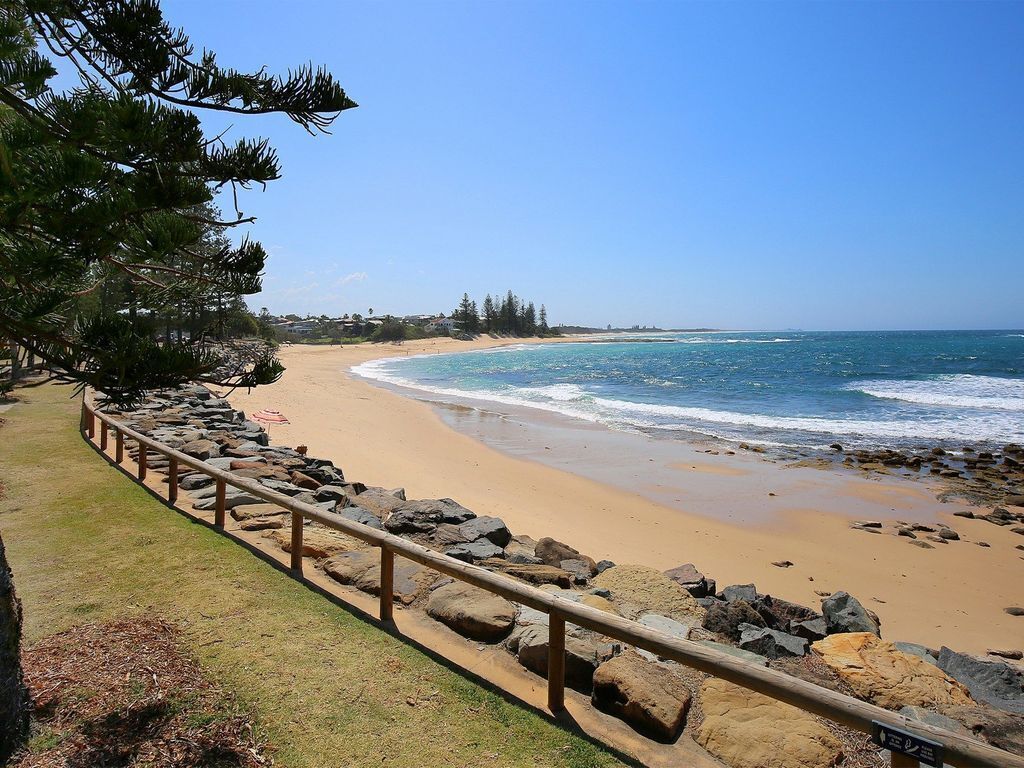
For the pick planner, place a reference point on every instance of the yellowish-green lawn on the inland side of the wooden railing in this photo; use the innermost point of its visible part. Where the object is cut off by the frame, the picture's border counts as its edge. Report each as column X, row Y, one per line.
column 87, row 544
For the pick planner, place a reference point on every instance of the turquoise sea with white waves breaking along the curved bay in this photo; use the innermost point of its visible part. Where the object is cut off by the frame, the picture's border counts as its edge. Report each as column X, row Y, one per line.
column 783, row 389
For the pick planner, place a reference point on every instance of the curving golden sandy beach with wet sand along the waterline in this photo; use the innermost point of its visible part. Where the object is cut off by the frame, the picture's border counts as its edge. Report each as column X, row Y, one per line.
column 733, row 517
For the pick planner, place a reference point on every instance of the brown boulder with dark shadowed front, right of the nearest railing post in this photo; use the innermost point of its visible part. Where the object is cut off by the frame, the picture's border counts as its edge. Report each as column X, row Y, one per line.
column 649, row 697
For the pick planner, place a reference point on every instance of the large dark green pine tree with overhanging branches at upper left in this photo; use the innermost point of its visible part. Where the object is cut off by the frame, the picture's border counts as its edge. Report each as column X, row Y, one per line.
column 102, row 188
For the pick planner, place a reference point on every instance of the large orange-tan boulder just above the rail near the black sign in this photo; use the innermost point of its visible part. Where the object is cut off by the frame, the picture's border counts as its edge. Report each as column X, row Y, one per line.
column 880, row 673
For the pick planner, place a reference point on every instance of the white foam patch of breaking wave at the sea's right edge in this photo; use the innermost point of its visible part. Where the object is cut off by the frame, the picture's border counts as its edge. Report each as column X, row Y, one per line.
column 956, row 392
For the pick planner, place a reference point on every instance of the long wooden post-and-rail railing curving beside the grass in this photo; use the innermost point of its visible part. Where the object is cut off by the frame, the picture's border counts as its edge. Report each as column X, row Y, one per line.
column 958, row 750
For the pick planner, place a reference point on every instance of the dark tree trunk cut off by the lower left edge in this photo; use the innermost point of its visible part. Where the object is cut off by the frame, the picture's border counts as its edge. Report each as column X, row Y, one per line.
column 14, row 696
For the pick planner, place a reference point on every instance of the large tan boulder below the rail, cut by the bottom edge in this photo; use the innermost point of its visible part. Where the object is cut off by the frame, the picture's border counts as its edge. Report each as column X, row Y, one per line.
column 746, row 730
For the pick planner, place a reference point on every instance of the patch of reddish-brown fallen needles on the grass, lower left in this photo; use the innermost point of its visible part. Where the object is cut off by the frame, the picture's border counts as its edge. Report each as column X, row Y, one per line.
column 123, row 694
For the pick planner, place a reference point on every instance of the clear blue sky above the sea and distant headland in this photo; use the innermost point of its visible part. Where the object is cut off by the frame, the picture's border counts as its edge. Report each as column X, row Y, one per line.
column 769, row 165
